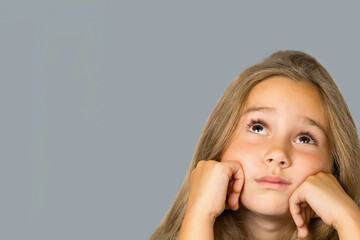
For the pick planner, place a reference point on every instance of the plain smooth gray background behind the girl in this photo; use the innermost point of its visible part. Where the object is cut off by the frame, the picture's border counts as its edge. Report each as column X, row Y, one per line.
column 102, row 103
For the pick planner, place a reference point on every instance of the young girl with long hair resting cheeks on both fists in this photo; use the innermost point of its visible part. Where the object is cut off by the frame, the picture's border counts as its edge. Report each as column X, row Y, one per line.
column 277, row 159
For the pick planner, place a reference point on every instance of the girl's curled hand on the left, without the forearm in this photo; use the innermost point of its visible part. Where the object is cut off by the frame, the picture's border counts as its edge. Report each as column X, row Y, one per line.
column 214, row 186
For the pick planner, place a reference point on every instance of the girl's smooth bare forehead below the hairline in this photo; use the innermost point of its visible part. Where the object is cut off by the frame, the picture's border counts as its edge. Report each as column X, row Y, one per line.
column 281, row 95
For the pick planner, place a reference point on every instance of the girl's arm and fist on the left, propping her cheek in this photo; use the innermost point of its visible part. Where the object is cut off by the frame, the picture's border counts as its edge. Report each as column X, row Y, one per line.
column 210, row 183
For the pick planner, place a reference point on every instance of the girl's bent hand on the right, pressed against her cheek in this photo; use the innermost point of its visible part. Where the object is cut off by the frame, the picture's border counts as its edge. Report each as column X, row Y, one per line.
column 321, row 196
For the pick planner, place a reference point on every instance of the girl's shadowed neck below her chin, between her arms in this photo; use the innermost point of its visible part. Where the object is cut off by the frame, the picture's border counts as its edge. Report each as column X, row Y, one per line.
column 259, row 226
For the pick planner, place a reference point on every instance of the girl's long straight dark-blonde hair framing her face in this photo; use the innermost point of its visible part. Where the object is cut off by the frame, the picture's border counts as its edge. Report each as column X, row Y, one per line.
column 223, row 121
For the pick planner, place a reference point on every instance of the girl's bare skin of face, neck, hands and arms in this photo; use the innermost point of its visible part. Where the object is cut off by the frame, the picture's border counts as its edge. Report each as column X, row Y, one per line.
column 281, row 134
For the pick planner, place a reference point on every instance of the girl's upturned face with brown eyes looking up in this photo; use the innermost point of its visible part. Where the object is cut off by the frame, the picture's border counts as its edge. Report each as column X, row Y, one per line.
column 280, row 140
